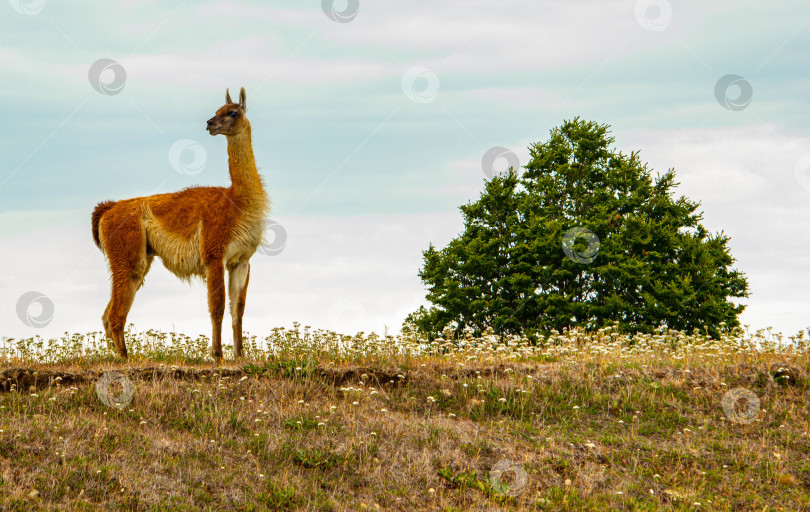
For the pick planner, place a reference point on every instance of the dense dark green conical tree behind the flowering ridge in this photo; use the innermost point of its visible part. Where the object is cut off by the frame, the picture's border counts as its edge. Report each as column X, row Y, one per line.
column 586, row 237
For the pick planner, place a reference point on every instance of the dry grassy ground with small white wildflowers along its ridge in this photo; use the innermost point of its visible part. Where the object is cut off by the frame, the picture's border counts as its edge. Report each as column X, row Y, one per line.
column 313, row 421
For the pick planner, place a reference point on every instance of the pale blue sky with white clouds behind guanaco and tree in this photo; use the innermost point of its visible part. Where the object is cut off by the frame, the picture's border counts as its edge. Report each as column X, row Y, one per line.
column 370, row 123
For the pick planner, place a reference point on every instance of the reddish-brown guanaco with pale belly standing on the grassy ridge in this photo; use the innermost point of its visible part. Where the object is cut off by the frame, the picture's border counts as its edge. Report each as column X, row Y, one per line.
column 199, row 231
